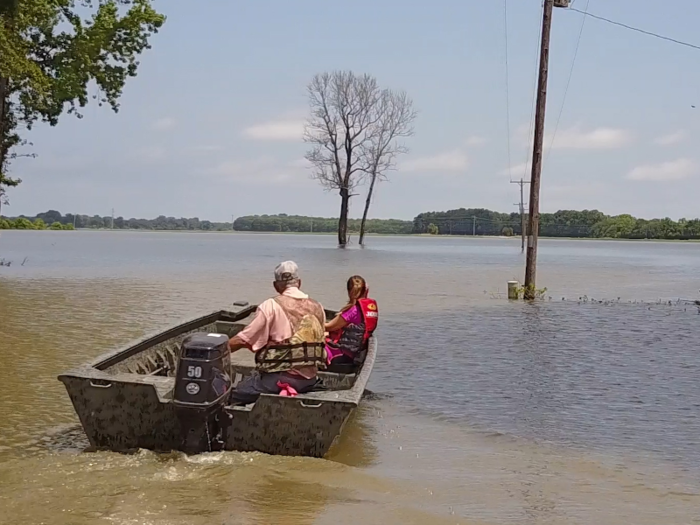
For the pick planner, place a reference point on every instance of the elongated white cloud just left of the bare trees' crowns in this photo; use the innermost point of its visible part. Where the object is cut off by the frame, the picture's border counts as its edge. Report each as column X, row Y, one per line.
column 261, row 171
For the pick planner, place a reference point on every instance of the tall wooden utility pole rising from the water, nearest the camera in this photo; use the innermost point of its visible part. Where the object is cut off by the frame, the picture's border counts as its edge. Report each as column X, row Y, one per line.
column 534, row 215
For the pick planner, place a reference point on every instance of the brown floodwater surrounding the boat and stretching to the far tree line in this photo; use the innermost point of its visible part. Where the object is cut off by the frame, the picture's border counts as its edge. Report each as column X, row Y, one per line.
column 484, row 411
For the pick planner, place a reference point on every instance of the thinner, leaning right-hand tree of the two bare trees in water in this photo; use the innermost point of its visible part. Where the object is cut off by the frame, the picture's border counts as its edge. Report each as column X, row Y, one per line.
column 394, row 120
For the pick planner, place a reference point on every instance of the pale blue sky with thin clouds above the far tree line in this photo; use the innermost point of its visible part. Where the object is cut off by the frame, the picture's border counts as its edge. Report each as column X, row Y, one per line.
column 211, row 127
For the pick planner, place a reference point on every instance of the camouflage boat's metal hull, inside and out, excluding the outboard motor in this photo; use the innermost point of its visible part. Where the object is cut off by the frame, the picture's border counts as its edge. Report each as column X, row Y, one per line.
column 122, row 411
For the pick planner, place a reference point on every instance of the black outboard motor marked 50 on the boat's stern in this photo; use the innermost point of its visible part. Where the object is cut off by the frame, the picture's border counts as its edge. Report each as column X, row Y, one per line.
column 202, row 387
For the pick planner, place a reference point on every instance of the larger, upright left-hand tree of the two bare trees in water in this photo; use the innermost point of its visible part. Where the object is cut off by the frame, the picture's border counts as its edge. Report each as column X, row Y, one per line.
column 340, row 131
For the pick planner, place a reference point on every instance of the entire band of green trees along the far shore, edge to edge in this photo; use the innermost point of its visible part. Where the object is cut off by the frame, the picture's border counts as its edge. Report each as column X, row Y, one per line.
column 564, row 224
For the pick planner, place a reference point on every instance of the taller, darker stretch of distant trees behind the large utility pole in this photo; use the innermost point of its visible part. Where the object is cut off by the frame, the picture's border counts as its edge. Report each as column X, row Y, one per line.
column 563, row 223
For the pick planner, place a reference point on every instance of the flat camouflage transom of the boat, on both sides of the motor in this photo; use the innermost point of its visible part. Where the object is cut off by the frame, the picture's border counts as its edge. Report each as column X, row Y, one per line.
column 125, row 416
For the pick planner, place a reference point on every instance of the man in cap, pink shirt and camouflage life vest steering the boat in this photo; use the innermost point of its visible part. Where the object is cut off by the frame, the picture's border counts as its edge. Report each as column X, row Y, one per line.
column 287, row 337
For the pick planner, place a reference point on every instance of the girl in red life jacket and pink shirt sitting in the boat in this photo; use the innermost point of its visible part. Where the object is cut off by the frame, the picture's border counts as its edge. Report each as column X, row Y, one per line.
column 349, row 331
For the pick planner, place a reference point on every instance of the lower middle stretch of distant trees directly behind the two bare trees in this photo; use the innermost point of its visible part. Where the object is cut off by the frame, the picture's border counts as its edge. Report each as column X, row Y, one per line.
column 298, row 223
